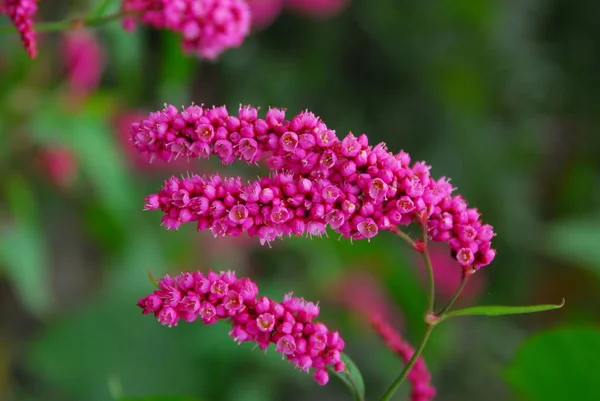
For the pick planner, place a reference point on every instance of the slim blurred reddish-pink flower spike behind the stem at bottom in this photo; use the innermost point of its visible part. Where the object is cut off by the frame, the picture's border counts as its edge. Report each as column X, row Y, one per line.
column 419, row 376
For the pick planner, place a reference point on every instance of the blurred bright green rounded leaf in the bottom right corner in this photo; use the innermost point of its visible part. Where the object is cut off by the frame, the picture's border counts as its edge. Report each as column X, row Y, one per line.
column 556, row 365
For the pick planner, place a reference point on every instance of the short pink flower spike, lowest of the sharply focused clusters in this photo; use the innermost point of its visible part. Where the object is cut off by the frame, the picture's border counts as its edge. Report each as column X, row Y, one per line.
column 289, row 324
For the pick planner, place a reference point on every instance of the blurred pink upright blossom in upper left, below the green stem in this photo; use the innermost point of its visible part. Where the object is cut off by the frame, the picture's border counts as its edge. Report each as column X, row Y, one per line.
column 83, row 59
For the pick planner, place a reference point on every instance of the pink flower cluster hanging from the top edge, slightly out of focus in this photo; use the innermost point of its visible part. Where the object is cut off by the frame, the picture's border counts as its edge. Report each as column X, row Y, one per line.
column 207, row 27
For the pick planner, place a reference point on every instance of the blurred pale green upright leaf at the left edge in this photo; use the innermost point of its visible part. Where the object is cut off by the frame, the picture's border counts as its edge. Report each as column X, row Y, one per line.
column 22, row 247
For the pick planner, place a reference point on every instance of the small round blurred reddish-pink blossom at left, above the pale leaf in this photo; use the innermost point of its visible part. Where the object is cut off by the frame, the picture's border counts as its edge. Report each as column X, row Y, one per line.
column 59, row 164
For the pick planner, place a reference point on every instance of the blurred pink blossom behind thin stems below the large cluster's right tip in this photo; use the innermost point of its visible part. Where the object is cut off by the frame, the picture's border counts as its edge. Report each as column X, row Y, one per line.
column 448, row 275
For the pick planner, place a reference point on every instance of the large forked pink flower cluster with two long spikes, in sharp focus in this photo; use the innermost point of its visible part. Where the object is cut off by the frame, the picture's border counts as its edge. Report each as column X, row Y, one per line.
column 317, row 180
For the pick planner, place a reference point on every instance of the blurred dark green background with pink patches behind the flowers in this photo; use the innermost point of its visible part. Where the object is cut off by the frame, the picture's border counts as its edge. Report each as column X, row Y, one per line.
column 502, row 96
